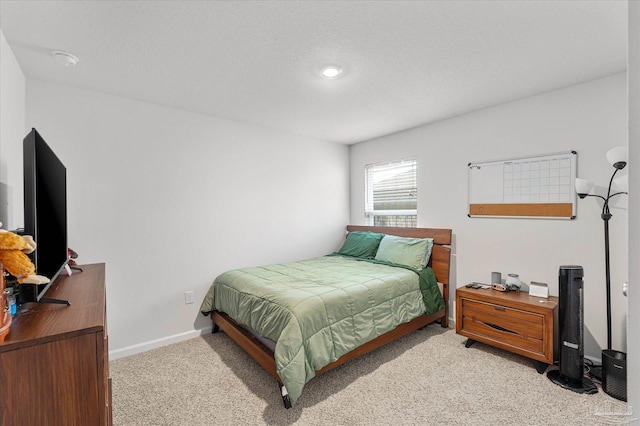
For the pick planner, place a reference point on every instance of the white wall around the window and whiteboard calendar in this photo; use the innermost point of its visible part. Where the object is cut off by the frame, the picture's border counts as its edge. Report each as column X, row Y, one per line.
column 589, row 118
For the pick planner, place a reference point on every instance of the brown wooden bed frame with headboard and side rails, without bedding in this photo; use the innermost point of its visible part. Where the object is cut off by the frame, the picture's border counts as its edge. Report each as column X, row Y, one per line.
column 439, row 262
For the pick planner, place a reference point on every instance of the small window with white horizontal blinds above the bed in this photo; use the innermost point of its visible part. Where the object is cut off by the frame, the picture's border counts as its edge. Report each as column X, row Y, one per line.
column 392, row 194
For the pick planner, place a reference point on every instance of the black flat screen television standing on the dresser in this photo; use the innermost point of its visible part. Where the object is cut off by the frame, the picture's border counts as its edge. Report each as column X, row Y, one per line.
column 45, row 210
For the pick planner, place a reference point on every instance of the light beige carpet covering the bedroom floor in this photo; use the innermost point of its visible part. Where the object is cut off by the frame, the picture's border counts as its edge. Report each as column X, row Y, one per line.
column 425, row 378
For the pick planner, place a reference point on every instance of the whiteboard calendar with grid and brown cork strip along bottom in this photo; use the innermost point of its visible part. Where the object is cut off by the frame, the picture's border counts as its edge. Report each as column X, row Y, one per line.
column 540, row 186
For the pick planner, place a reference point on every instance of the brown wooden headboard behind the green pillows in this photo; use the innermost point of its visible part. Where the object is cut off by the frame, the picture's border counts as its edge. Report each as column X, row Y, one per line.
column 440, row 255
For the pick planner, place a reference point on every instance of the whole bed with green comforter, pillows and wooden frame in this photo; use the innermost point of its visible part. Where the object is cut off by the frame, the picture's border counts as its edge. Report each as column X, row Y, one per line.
column 300, row 319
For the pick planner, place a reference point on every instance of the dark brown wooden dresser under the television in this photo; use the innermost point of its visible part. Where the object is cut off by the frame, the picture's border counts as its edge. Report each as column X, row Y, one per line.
column 54, row 363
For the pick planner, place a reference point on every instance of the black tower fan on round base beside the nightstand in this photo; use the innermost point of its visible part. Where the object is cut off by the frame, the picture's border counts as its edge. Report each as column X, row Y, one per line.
column 570, row 374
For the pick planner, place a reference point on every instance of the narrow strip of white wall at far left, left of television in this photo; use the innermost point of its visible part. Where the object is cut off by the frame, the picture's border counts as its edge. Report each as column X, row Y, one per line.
column 12, row 130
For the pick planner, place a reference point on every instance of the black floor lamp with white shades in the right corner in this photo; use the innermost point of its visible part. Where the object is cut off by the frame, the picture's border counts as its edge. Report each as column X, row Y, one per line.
column 613, row 362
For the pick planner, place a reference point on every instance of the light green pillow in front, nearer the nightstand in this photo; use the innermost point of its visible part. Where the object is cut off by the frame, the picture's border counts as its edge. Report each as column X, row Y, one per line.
column 413, row 252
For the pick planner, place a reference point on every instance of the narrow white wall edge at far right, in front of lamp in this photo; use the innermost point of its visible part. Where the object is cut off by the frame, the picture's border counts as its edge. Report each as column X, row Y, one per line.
column 633, row 373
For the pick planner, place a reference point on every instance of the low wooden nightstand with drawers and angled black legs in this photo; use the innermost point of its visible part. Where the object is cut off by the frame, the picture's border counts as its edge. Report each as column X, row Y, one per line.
column 513, row 321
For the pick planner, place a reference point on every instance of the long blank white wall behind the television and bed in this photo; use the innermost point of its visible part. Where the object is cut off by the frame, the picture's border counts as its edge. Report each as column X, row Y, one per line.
column 170, row 199
